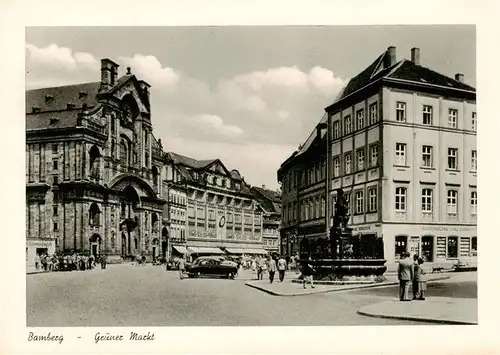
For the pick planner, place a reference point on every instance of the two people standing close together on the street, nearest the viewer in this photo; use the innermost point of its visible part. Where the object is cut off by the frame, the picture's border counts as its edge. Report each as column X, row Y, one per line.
column 410, row 272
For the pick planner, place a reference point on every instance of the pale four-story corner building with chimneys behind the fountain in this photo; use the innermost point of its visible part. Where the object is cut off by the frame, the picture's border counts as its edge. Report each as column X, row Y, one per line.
column 402, row 145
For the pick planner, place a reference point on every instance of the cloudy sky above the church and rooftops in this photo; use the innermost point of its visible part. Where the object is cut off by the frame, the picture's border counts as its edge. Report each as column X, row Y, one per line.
column 246, row 95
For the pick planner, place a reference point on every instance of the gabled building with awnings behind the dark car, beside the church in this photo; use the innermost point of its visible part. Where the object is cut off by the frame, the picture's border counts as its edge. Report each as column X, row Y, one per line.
column 218, row 209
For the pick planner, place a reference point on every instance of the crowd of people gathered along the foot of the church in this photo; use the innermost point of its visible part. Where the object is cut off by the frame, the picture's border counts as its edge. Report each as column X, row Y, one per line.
column 59, row 262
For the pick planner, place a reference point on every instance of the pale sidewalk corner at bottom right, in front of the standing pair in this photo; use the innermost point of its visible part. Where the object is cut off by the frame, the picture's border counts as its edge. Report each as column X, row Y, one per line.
column 442, row 310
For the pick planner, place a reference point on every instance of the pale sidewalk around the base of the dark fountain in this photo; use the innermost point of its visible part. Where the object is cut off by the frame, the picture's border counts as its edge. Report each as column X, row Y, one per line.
column 289, row 288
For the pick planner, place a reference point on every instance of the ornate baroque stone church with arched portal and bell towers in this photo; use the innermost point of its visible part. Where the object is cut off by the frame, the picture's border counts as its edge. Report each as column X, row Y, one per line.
column 93, row 168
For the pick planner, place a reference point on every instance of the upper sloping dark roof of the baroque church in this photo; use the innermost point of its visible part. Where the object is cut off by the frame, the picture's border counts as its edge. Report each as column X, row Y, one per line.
column 61, row 96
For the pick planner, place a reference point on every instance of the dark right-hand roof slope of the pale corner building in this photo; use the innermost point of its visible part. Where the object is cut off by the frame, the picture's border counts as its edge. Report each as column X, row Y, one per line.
column 410, row 71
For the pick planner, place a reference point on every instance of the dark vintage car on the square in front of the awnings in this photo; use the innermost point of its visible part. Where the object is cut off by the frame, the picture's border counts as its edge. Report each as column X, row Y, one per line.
column 212, row 266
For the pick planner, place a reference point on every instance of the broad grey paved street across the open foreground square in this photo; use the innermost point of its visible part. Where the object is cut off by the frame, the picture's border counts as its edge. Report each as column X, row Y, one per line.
column 125, row 295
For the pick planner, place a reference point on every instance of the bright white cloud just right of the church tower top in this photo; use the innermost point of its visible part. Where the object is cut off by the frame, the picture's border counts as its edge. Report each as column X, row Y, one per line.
column 150, row 69
